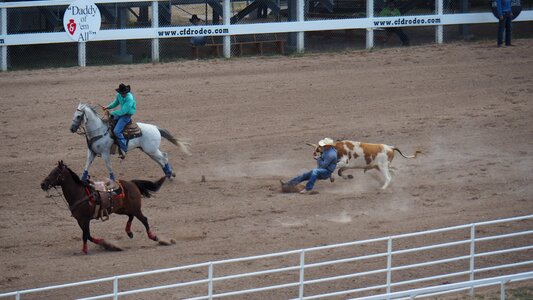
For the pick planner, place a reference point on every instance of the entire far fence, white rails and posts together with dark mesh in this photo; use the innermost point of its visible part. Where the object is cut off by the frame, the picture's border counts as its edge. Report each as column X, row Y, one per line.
column 158, row 30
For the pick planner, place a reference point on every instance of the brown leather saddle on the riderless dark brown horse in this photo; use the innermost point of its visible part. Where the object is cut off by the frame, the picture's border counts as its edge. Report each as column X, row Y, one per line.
column 107, row 198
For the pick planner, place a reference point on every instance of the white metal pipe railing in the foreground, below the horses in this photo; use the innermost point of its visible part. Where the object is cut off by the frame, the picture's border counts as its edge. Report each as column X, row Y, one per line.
column 467, row 256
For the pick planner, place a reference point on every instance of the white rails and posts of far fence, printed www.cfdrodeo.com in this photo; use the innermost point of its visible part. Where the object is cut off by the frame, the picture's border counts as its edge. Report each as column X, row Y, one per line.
column 298, row 26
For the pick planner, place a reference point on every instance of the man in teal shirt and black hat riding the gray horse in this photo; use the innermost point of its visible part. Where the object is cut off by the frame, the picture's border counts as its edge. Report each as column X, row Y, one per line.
column 122, row 115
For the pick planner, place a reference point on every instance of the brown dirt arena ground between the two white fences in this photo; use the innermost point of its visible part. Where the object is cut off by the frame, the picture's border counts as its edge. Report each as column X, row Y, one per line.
column 468, row 106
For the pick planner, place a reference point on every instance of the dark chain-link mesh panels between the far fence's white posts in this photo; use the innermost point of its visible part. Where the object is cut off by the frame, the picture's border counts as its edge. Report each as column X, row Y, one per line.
column 176, row 13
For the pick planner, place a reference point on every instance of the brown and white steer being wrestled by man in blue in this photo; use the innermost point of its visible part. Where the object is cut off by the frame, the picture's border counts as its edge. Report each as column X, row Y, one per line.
column 357, row 155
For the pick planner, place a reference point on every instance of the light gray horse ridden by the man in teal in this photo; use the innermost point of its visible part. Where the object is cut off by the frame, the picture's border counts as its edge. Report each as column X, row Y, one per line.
column 99, row 140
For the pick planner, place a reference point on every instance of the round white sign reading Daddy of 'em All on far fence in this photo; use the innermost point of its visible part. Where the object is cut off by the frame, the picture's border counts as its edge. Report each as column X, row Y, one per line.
column 82, row 20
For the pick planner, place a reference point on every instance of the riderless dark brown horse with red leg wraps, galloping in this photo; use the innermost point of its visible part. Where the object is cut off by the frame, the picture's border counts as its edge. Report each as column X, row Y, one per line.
column 82, row 200
